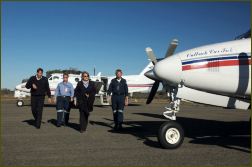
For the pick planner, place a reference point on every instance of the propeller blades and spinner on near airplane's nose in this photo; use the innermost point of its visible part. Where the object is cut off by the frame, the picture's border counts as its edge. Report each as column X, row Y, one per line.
column 150, row 74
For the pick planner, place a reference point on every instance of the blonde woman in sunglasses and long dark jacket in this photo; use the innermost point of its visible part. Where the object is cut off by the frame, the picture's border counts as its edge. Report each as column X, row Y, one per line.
column 85, row 96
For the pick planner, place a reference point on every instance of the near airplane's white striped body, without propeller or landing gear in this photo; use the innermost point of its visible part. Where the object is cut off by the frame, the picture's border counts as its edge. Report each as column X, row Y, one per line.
column 222, row 68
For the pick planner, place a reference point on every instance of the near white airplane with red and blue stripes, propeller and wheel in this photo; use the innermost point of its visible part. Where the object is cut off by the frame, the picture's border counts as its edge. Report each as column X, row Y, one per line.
column 217, row 74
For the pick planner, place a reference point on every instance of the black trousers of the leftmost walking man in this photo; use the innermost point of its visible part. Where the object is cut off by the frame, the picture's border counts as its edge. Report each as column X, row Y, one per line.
column 37, row 104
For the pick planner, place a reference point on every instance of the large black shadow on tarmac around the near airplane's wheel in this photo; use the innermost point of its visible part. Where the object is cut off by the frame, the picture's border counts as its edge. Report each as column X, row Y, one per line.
column 232, row 135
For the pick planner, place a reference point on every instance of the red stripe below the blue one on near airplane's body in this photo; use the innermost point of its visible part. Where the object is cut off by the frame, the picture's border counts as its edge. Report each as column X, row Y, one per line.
column 217, row 64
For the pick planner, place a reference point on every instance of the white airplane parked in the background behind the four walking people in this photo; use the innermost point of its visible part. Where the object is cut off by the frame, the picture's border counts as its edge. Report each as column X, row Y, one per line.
column 136, row 83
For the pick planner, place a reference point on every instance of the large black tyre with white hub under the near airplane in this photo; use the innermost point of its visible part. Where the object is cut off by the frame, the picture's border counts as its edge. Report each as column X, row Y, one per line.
column 170, row 135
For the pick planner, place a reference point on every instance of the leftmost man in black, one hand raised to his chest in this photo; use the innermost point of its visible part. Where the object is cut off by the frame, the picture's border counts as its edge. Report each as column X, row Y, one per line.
column 39, row 87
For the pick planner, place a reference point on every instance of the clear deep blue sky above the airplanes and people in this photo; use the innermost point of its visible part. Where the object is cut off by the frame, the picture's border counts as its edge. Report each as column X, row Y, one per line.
column 108, row 35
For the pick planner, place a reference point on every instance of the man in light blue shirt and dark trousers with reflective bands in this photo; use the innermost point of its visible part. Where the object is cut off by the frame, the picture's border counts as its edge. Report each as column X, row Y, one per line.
column 64, row 94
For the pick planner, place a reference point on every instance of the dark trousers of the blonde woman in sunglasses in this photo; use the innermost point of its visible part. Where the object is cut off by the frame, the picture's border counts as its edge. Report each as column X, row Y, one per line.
column 84, row 114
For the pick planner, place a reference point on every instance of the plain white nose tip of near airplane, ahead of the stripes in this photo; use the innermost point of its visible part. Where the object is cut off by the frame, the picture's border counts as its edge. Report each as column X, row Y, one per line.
column 169, row 69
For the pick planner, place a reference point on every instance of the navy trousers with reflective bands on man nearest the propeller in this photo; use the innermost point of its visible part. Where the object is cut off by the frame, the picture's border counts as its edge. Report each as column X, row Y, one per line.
column 118, row 102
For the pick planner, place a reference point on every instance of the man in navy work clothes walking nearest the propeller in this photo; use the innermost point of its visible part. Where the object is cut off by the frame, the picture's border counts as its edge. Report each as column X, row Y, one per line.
column 119, row 89
